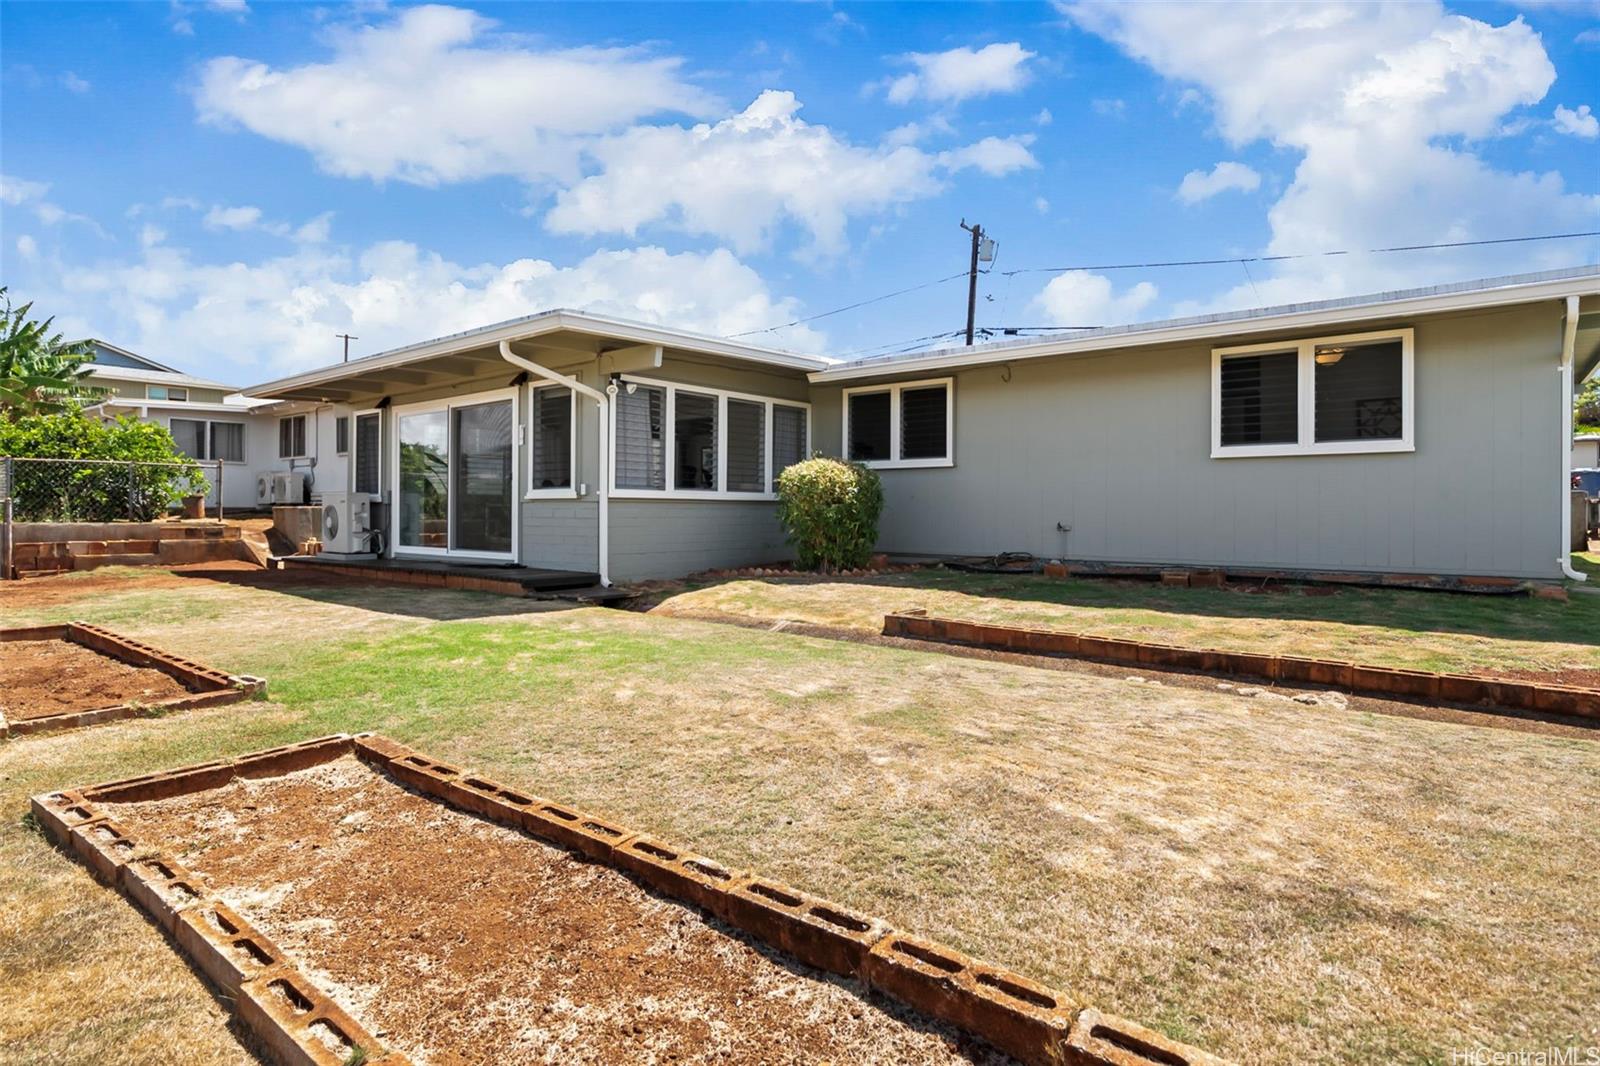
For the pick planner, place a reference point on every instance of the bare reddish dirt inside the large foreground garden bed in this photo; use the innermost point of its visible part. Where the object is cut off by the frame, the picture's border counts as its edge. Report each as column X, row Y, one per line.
column 457, row 940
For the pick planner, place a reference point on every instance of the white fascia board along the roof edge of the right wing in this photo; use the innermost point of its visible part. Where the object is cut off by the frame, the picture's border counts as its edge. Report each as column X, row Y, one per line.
column 1214, row 329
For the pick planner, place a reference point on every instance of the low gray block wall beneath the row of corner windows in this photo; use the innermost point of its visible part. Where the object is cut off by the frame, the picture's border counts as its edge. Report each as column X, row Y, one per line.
column 670, row 539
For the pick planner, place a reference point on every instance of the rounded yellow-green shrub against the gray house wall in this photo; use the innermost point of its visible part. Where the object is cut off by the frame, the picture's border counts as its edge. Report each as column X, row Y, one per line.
column 831, row 513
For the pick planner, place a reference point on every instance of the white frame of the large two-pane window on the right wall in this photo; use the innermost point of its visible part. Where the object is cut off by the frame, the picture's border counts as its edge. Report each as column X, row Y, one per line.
column 1306, row 398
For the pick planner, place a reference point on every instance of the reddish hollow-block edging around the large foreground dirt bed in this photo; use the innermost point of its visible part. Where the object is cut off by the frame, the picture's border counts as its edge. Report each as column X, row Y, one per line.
column 1034, row 1024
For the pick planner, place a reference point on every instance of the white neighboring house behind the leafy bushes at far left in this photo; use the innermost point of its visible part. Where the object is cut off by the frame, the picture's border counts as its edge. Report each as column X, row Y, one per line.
column 254, row 439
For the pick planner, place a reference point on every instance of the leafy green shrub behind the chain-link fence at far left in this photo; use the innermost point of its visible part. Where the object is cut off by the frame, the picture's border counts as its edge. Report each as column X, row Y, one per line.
column 95, row 492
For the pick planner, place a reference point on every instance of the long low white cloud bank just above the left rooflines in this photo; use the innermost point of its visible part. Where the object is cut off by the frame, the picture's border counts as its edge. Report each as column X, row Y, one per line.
column 250, row 321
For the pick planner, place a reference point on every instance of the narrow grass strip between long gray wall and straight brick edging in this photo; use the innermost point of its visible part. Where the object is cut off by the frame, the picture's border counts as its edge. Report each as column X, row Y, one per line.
column 1436, row 631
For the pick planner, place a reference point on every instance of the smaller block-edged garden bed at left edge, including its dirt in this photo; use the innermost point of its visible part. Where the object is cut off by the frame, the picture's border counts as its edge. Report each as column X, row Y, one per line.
column 58, row 678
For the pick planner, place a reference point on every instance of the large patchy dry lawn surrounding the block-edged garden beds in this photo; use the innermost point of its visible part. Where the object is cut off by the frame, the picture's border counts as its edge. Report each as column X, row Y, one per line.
column 1270, row 881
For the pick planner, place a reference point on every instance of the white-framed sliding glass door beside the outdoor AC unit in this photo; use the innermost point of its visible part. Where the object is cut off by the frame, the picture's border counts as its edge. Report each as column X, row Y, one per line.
column 457, row 478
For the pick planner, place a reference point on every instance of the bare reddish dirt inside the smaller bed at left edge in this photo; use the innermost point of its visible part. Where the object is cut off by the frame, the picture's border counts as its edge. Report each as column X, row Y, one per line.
column 47, row 678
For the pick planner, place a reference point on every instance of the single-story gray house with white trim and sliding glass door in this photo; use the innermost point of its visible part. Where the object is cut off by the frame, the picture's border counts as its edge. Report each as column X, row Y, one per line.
column 1404, row 433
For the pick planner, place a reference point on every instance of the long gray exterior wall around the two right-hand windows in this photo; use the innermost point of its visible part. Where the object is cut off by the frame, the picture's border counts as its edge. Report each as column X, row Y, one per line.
column 1118, row 449
